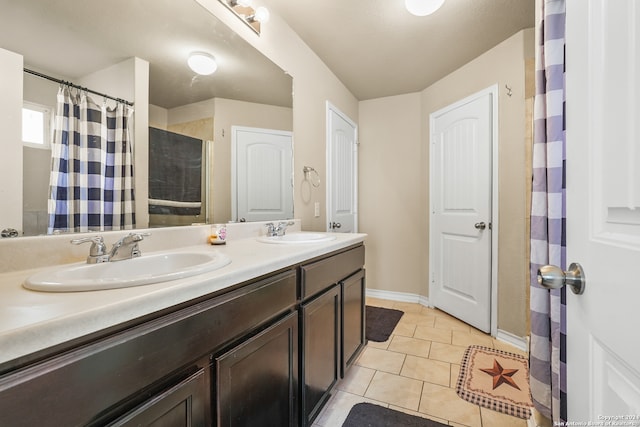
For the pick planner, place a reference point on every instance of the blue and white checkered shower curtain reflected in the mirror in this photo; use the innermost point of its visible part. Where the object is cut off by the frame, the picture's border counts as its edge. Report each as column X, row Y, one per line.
column 91, row 182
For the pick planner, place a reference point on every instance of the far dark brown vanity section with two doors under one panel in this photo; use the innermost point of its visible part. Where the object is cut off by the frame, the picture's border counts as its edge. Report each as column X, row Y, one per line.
column 332, row 325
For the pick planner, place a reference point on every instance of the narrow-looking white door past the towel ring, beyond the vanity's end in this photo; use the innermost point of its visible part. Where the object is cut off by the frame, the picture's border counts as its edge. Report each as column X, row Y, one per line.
column 342, row 165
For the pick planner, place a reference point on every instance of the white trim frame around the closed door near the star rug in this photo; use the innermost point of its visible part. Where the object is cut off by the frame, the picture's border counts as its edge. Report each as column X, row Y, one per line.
column 494, row 92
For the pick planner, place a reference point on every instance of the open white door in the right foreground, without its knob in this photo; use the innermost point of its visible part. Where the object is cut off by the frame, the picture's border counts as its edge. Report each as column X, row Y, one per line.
column 603, row 210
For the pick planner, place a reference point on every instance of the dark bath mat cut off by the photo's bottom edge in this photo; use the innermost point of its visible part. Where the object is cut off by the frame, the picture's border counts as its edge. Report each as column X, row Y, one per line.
column 369, row 415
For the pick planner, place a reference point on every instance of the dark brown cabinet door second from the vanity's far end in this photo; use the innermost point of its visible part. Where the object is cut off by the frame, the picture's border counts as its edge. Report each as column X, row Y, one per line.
column 321, row 350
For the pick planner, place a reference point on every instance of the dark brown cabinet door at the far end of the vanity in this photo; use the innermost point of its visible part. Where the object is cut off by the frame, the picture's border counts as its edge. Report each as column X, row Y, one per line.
column 353, row 327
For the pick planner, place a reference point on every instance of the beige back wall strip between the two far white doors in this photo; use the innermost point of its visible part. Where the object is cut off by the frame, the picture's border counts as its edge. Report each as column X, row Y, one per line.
column 390, row 179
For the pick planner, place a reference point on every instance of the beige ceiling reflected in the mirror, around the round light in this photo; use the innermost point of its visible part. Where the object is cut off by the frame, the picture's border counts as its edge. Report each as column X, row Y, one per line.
column 68, row 39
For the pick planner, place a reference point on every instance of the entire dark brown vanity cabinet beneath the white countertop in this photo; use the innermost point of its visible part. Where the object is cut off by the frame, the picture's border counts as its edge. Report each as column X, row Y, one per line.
column 267, row 352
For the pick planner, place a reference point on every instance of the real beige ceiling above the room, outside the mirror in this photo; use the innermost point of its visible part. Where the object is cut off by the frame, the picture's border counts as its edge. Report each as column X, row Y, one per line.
column 376, row 48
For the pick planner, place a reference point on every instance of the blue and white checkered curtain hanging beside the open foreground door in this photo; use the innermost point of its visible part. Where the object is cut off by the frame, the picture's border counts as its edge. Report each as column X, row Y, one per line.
column 548, row 217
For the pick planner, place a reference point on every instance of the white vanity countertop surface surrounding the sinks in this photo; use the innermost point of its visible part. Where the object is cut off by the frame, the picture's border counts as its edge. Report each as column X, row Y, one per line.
column 31, row 321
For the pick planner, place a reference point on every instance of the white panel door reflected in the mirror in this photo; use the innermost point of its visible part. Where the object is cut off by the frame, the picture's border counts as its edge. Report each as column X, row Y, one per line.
column 262, row 167
